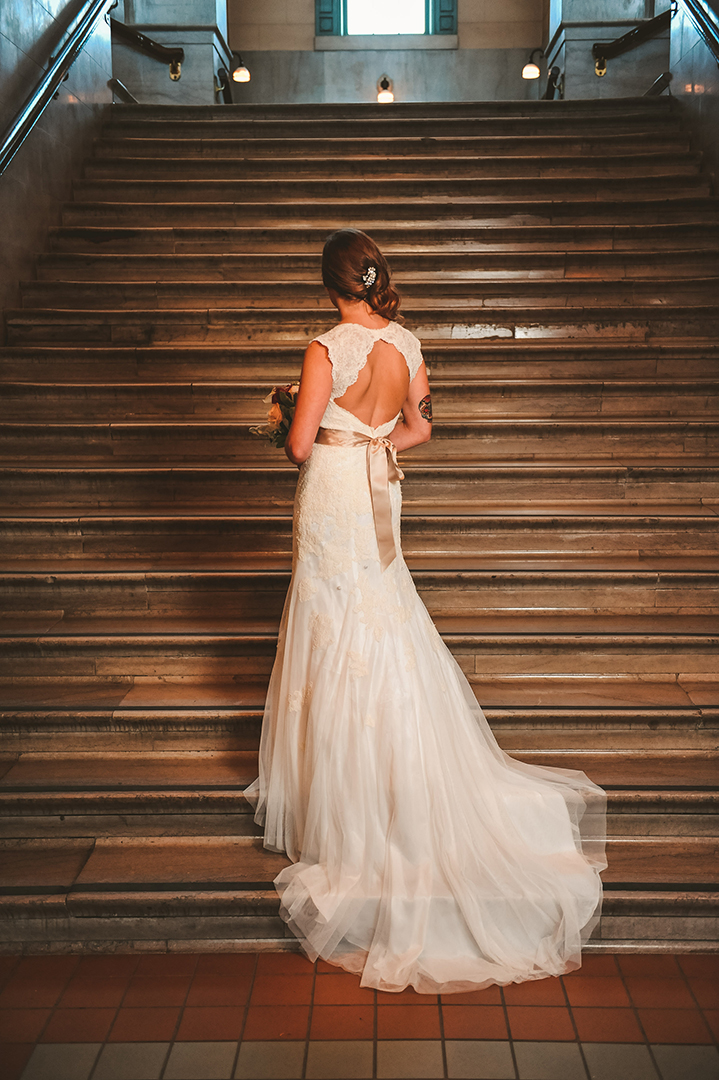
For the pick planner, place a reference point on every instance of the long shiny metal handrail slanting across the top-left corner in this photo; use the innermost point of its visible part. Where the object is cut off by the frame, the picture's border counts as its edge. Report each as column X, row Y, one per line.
column 50, row 80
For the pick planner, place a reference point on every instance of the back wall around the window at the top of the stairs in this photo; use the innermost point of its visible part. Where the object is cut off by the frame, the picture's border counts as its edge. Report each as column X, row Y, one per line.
column 277, row 42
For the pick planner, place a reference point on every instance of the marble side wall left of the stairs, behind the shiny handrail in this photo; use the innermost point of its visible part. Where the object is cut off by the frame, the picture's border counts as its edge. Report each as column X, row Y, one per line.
column 39, row 179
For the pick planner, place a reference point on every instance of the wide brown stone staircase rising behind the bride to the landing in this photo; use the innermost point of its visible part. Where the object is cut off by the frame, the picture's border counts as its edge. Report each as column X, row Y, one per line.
column 561, row 263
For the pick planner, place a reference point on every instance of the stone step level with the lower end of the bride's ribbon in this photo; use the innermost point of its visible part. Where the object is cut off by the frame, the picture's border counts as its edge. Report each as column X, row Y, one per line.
column 564, row 532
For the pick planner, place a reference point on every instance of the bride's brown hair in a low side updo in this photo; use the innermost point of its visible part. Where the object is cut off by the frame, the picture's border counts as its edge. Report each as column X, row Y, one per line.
column 348, row 256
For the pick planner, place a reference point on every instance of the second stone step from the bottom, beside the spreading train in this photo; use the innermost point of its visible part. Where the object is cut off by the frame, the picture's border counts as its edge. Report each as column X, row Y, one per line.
column 48, row 795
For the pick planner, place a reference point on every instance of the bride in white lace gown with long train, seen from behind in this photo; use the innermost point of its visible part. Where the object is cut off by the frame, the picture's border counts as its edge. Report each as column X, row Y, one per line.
column 422, row 854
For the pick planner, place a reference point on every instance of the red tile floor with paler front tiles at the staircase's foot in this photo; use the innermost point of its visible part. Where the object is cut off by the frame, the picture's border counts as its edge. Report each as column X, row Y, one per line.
column 267, row 1017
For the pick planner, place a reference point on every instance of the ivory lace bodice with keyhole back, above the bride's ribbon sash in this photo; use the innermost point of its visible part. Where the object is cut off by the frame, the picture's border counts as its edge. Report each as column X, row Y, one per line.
column 349, row 345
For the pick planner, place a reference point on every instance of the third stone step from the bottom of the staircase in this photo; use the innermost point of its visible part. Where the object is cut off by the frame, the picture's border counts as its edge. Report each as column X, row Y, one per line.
column 582, row 711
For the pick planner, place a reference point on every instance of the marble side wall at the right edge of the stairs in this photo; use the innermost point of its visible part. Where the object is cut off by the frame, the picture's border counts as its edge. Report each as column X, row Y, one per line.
column 696, row 86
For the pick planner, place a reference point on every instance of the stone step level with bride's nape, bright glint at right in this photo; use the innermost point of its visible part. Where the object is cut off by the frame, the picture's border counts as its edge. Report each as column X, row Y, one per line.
column 500, row 319
